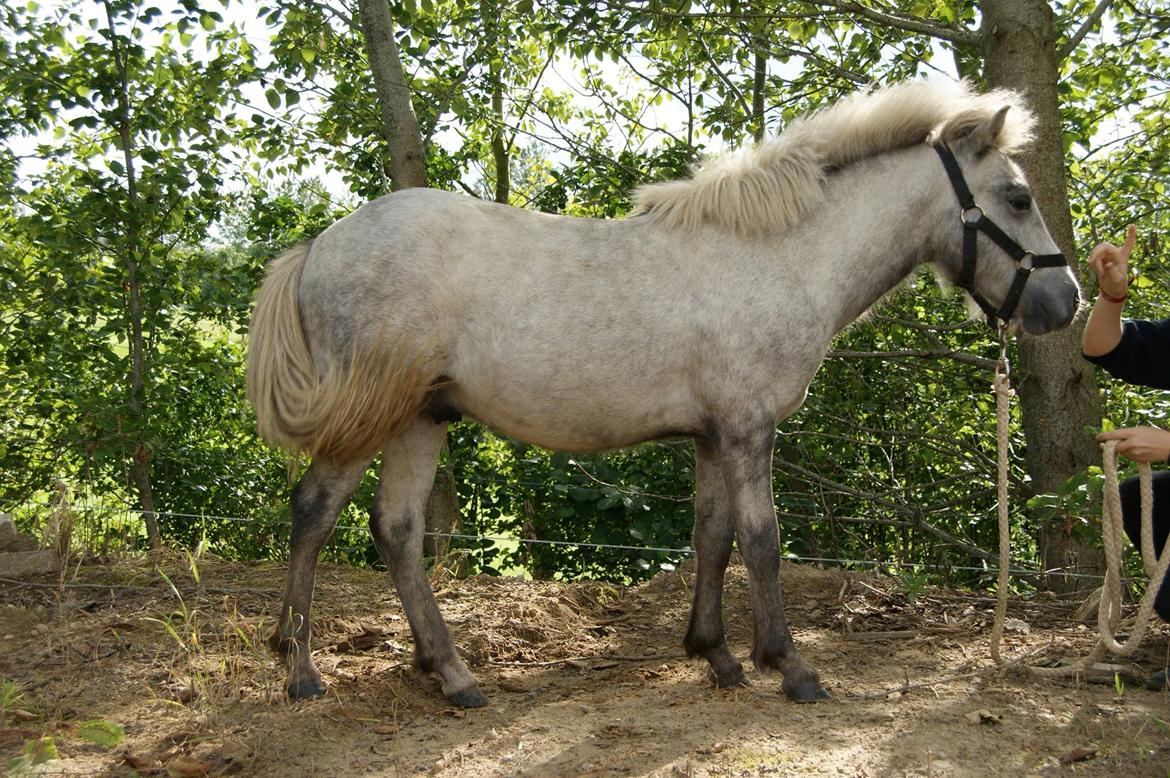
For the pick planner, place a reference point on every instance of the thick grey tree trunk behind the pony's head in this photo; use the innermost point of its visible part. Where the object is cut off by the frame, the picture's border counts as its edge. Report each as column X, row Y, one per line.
column 1057, row 388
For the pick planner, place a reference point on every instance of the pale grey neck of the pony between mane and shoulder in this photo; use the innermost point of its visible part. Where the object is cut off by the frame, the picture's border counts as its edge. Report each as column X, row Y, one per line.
column 876, row 228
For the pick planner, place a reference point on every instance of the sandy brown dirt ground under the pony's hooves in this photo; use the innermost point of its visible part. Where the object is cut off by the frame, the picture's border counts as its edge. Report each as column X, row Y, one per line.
column 583, row 680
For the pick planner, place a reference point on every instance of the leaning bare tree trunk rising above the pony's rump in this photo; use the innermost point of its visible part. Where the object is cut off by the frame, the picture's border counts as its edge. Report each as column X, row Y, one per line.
column 401, row 126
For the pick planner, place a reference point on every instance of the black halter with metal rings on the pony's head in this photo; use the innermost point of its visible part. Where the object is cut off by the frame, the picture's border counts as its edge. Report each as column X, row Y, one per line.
column 974, row 221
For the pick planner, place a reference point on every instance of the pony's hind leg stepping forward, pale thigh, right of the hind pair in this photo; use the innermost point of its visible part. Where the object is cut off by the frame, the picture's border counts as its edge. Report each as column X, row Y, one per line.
column 398, row 525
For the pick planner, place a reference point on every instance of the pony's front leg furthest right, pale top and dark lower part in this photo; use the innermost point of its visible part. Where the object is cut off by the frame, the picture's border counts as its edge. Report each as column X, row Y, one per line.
column 746, row 455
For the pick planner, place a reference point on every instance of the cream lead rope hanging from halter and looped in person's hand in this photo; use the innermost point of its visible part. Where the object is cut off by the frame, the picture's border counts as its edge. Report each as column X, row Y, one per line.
column 1110, row 608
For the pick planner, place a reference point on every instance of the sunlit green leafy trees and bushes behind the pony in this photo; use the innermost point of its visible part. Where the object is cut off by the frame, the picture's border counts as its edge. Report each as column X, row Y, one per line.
column 891, row 459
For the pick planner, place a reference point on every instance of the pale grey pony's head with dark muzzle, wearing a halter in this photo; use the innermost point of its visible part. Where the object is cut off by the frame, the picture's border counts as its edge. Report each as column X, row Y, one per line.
column 999, row 249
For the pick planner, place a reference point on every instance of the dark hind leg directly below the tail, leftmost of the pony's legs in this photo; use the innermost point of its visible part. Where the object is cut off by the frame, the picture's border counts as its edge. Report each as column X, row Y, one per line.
column 316, row 504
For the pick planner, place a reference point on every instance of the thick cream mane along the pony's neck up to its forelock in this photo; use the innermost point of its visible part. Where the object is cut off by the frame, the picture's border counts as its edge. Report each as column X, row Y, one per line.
column 775, row 183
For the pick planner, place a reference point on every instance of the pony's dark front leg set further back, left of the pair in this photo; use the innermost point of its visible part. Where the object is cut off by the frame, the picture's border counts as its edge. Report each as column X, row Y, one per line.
column 714, row 534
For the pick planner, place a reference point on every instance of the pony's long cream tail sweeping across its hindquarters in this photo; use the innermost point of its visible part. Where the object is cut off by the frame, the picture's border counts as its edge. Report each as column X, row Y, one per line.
column 343, row 410
